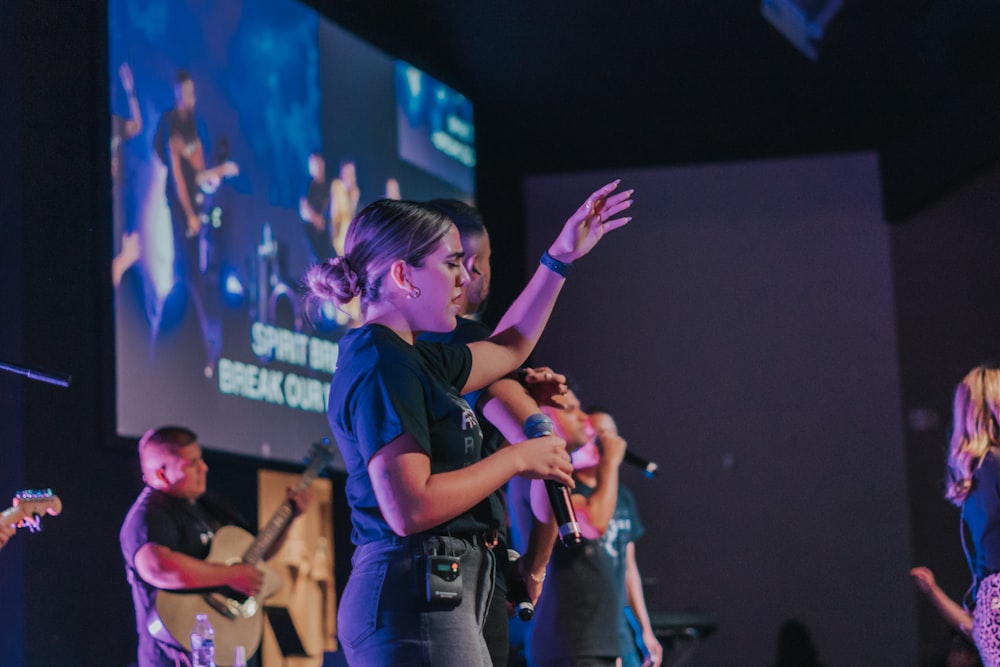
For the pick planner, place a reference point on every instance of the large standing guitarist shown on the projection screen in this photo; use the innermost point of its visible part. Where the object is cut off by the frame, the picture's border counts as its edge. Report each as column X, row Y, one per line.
column 181, row 143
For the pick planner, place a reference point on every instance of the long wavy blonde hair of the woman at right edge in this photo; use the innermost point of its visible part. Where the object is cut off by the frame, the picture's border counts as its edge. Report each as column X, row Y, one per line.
column 975, row 428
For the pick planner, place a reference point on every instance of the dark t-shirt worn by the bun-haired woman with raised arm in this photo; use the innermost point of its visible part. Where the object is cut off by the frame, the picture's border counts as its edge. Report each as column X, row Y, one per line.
column 384, row 387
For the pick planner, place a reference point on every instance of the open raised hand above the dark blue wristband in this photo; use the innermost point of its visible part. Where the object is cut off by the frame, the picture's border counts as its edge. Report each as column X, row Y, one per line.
column 594, row 219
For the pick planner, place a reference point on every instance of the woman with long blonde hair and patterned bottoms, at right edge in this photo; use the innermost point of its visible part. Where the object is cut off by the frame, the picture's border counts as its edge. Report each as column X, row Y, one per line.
column 974, row 485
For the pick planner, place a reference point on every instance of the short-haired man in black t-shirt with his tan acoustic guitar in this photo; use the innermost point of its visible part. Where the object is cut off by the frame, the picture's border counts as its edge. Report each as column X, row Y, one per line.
column 171, row 541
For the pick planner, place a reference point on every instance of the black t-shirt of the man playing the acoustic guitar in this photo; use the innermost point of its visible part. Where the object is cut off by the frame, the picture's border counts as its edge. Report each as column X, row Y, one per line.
column 188, row 528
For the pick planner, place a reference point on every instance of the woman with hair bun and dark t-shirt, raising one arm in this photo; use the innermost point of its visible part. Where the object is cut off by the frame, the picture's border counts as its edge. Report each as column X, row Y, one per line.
column 422, row 572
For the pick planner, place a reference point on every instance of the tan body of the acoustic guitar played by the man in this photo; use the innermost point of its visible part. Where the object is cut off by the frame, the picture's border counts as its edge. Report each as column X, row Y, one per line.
column 235, row 623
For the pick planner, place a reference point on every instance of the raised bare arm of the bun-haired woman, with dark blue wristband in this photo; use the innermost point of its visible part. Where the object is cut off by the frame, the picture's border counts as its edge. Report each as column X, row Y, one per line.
column 521, row 326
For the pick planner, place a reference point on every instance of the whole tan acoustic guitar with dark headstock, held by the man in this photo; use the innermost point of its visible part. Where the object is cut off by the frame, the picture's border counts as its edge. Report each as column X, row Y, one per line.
column 238, row 620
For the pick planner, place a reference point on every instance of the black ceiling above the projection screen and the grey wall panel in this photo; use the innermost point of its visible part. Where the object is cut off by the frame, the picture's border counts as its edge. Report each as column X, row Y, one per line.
column 572, row 85
